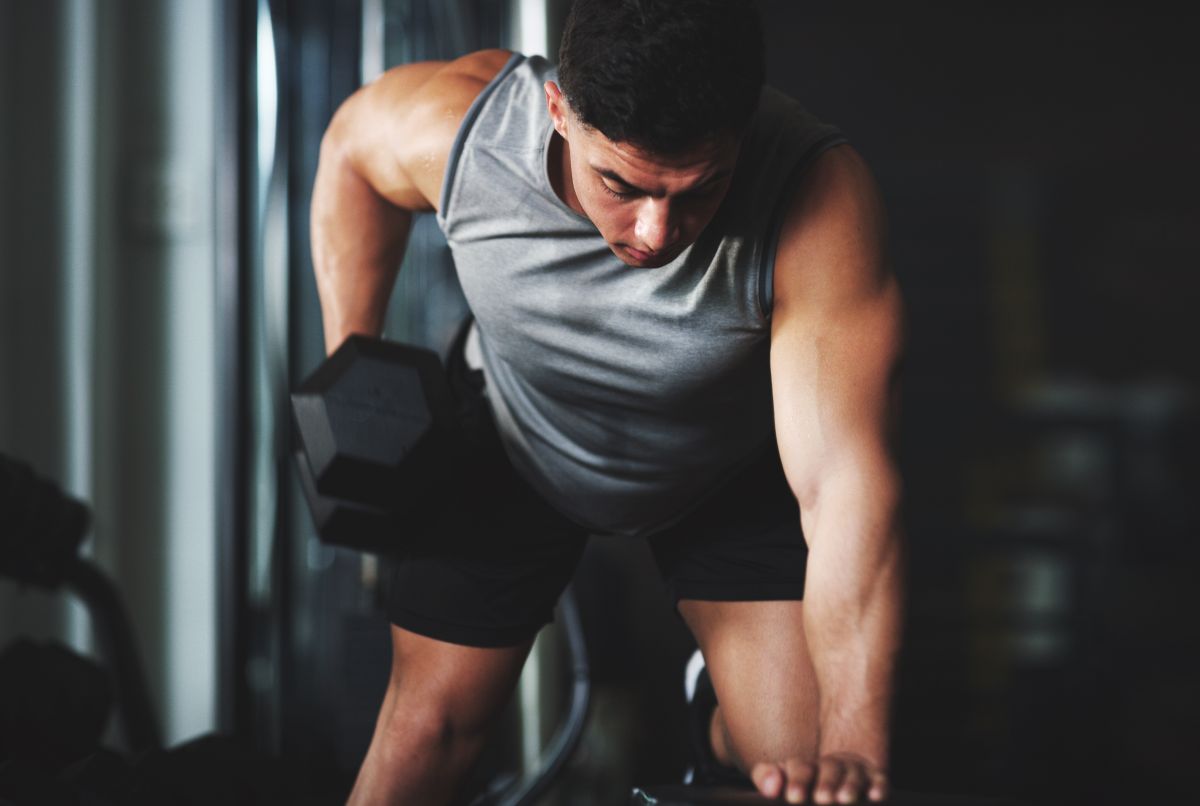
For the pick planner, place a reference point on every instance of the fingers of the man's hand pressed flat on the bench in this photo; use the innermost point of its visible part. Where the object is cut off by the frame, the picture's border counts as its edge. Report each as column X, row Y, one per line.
column 832, row 780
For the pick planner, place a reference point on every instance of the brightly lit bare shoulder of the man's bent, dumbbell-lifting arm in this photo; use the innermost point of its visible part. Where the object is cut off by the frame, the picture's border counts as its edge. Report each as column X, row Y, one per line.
column 400, row 128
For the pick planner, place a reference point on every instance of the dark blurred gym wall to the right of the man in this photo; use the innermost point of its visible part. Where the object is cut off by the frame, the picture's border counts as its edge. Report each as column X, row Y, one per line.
column 1040, row 163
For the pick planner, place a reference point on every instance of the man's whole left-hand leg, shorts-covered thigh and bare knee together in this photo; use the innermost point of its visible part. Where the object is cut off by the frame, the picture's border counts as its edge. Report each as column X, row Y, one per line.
column 466, row 600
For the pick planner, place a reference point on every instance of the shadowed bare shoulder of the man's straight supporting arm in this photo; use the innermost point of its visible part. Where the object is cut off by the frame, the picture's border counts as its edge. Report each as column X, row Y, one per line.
column 833, row 240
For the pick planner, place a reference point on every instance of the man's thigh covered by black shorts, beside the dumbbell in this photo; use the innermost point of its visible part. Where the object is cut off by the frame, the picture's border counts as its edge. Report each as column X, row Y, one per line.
column 490, row 569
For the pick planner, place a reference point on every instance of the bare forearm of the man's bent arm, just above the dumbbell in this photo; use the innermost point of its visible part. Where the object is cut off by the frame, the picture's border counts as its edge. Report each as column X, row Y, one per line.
column 358, row 242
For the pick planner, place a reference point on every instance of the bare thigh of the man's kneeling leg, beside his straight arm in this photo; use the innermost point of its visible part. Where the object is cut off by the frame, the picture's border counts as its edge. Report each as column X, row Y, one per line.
column 766, row 689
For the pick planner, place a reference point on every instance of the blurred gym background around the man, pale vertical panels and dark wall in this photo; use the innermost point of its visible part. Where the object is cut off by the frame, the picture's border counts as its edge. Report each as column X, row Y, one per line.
column 1040, row 164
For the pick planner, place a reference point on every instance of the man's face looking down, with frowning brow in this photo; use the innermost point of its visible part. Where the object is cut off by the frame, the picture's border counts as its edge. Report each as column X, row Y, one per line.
column 649, row 208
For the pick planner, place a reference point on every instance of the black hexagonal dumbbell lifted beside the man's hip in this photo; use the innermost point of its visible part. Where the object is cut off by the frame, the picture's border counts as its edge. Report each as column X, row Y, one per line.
column 376, row 425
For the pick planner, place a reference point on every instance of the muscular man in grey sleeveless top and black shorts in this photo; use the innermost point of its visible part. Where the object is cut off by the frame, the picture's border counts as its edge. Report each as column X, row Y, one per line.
column 681, row 302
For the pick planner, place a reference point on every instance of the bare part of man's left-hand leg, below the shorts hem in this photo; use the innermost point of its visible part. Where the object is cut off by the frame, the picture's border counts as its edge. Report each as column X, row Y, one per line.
column 441, row 705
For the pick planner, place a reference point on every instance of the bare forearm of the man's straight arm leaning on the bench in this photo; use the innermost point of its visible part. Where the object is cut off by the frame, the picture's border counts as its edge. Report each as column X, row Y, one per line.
column 854, row 610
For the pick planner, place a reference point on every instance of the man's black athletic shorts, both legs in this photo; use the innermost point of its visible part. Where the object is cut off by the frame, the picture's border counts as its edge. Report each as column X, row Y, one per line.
column 493, row 569
